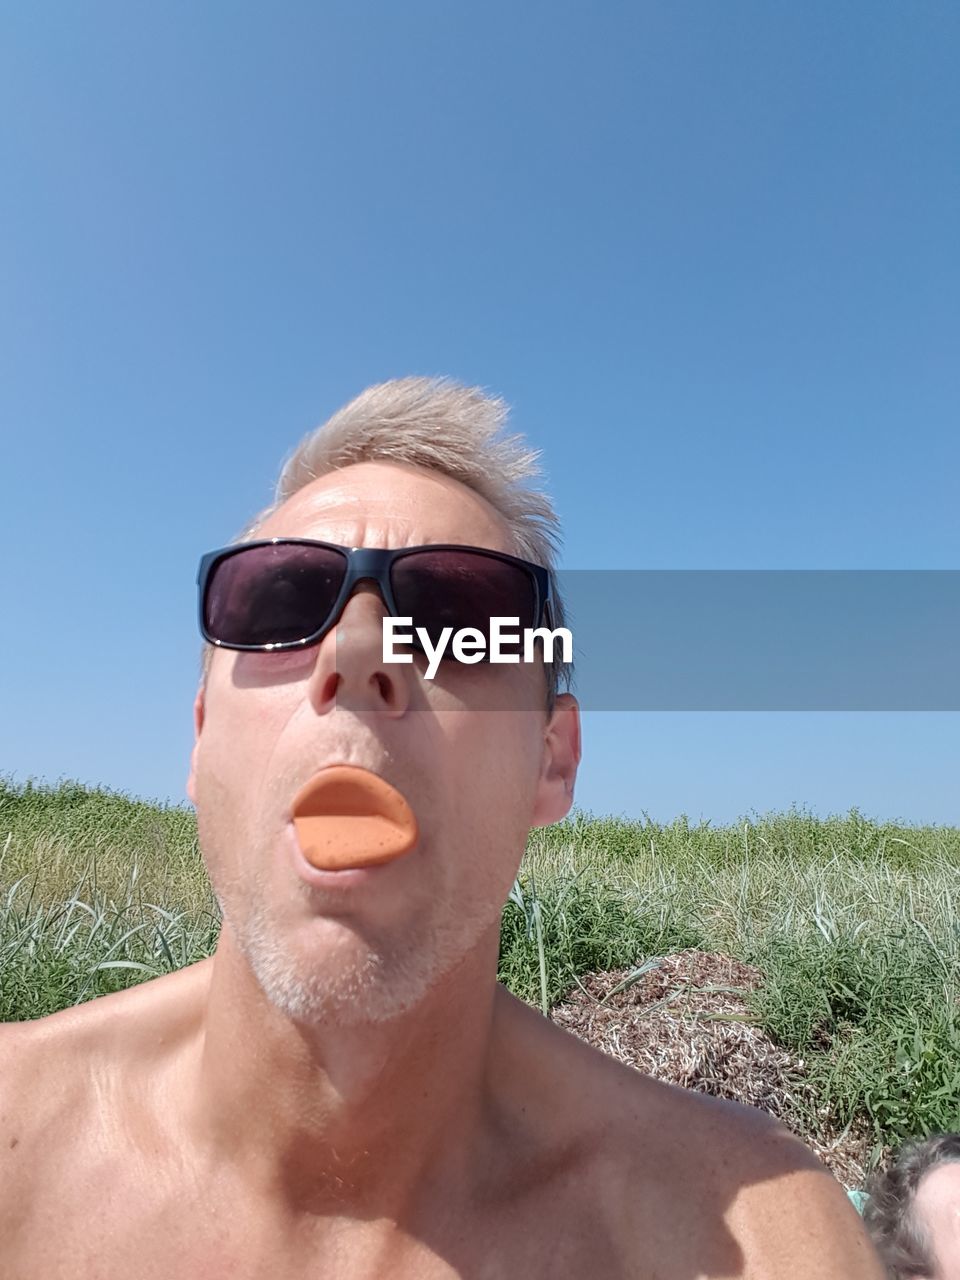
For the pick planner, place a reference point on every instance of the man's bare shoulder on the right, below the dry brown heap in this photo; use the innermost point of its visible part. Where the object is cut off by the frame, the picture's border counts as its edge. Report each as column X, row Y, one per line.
column 702, row 1186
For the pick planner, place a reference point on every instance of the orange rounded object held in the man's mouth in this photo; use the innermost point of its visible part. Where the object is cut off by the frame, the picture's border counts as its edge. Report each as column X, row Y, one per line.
column 350, row 817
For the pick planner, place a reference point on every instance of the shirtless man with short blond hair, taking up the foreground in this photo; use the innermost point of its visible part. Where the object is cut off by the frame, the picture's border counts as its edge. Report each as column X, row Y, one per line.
column 344, row 1091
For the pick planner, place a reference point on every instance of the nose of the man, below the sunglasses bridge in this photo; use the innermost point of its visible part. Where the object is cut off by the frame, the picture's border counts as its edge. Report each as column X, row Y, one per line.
column 350, row 669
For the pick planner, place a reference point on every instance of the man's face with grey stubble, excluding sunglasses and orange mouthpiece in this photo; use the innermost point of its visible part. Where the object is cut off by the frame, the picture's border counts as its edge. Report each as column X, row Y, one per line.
column 478, row 776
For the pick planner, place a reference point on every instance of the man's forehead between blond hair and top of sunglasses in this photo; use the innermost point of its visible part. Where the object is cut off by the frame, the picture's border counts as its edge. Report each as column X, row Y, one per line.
column 390, row 505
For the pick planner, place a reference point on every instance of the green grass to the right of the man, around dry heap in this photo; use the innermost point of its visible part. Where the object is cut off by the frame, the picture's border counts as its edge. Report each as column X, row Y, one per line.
column 853, row 925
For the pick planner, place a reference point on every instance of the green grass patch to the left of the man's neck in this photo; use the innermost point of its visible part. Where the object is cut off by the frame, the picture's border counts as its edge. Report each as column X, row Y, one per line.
column 98, row 892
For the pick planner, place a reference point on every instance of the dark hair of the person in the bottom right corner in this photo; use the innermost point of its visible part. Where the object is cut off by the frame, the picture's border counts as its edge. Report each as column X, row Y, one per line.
column 902, row 1241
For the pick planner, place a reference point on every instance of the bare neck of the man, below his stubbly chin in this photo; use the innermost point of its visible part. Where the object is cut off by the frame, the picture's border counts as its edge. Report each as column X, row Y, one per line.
column 323, row 1118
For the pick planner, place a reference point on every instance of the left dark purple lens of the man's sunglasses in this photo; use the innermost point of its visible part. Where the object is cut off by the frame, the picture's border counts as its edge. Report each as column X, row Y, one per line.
column 275, row 595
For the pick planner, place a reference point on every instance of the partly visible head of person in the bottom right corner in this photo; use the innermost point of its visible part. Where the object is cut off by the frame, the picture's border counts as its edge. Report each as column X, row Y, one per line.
column 913, row 1213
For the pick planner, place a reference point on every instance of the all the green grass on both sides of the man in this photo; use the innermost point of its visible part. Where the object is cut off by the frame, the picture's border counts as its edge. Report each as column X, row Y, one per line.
column 853, row 925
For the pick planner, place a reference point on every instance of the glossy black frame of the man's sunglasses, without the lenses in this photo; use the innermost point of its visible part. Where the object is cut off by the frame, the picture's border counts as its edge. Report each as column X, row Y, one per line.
column 364, row 565
